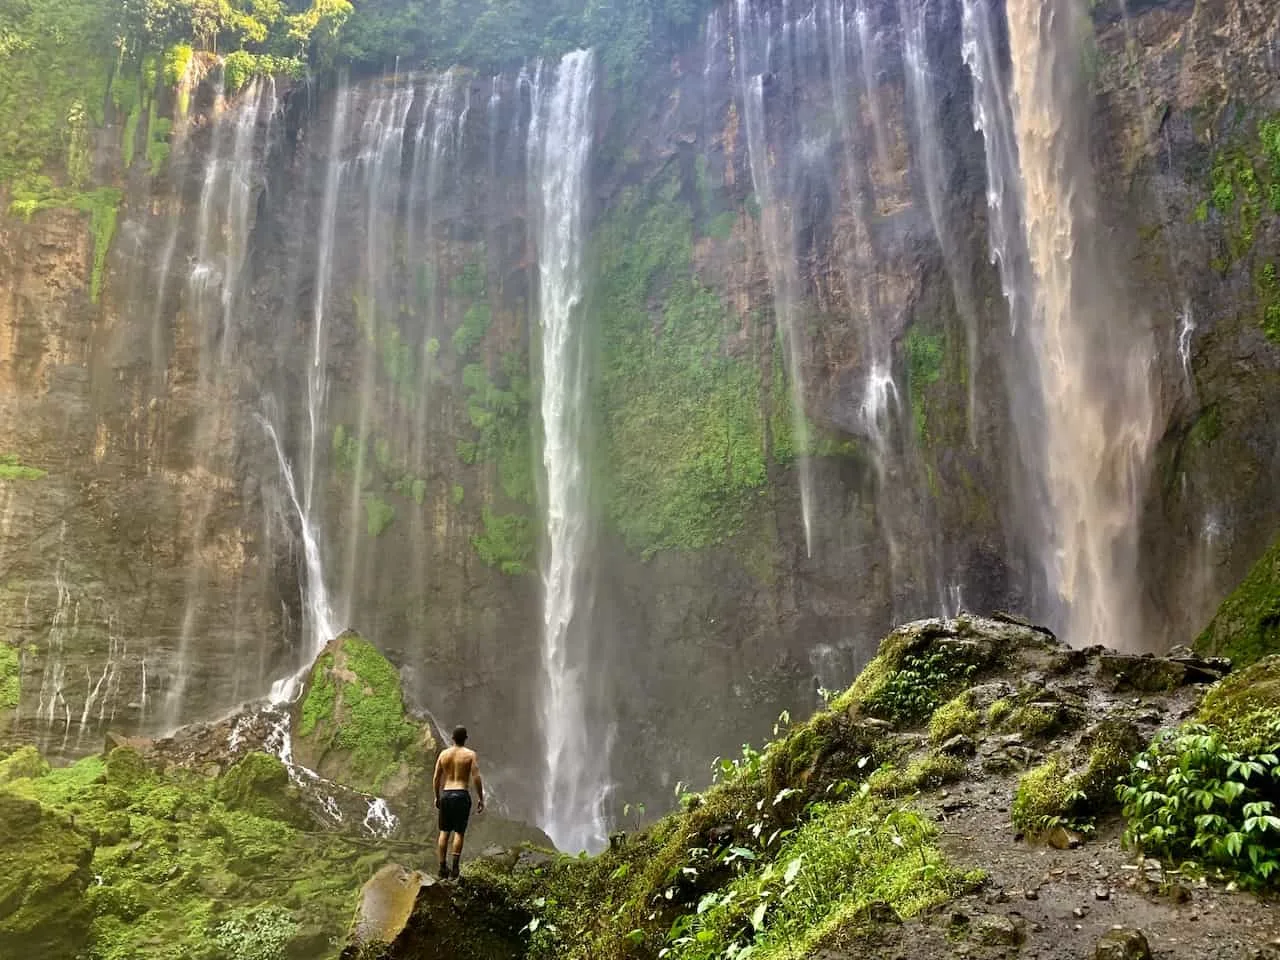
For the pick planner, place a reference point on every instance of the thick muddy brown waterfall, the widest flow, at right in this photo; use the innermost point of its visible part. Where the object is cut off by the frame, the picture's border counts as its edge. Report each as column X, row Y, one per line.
column 1094, row 355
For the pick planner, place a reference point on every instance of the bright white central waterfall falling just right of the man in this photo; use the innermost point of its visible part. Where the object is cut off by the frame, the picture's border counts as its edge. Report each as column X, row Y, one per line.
column 560, row 143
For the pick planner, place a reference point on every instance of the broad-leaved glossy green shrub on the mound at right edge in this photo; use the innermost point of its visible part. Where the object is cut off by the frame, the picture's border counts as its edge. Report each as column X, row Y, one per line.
column 1194, row 794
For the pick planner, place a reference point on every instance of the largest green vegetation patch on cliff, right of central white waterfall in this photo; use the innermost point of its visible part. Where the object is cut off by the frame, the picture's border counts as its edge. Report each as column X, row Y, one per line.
column 683, row 440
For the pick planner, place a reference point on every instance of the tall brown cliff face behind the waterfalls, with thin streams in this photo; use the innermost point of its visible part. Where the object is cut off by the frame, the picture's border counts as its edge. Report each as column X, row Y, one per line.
column 318, row 319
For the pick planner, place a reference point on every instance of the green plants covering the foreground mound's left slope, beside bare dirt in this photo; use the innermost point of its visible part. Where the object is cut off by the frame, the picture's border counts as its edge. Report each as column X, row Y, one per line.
column 784, row 856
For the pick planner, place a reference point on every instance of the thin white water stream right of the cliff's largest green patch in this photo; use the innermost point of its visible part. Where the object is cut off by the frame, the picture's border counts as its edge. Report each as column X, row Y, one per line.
column 752, row 63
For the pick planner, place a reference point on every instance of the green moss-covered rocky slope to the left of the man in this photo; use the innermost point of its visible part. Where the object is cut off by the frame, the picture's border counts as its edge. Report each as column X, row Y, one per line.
column 116, row 861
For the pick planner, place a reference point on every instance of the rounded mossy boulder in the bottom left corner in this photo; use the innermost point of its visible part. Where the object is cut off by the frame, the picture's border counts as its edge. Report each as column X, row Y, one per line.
column 44, row 875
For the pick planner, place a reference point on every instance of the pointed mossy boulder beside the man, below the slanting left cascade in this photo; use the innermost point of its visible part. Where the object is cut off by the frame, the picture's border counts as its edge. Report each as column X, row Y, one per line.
column 351, row 725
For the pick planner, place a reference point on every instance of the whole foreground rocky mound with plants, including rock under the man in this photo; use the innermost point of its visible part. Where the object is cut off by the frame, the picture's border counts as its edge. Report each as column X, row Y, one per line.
column 981, row 792
